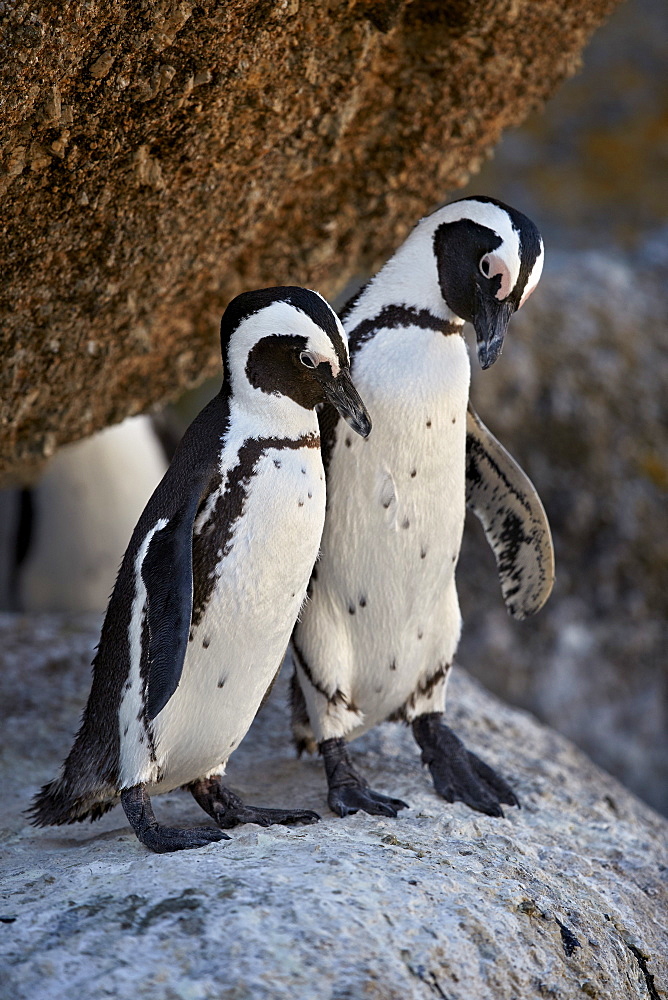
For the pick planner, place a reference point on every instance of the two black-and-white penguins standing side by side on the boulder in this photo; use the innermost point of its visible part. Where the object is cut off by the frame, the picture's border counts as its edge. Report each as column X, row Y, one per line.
column 217, row 568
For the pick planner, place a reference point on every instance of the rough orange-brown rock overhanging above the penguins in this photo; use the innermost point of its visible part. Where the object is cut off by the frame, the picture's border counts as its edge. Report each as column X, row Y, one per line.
column 158, row 158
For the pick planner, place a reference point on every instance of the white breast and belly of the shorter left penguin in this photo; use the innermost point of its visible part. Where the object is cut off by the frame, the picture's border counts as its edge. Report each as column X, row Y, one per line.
column 238, row 645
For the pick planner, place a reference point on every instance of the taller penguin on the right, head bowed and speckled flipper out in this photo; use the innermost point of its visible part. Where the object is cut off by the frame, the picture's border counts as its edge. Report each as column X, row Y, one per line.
column 377, row 638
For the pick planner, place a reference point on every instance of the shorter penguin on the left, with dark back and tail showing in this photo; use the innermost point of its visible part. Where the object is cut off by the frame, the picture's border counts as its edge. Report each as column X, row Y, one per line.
column 213, row 579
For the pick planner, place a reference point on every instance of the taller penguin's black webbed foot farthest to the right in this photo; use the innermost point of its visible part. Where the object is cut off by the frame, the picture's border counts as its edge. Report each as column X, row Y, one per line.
column 458, row 774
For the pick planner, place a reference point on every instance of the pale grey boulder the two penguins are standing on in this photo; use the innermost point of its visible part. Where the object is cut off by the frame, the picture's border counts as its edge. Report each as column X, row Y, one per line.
column 564, row 898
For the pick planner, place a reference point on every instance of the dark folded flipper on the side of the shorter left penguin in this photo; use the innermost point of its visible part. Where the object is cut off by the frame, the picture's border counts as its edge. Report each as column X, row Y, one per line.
column 168, row 577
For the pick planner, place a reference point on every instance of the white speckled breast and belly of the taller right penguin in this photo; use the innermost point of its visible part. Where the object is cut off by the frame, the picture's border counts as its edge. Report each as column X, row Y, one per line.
column 383, row 605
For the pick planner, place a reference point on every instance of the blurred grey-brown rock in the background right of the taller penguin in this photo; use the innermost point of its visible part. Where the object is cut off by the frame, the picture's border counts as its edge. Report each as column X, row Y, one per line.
column 579, row 397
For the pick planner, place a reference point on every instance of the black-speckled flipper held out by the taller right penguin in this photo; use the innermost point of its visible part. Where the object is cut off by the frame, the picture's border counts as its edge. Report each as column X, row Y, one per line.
column 505, row 501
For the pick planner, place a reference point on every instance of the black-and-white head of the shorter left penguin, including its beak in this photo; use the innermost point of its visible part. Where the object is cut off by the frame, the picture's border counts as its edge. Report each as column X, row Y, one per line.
column 287, row 342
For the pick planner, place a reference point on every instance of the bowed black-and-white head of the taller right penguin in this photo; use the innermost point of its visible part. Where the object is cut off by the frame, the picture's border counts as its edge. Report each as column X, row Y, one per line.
column 489, row 259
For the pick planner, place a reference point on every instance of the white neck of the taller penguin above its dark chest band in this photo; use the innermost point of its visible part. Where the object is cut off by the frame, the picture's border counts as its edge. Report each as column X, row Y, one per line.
column 408, row 279
